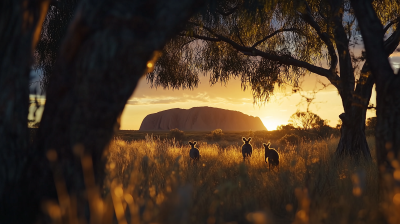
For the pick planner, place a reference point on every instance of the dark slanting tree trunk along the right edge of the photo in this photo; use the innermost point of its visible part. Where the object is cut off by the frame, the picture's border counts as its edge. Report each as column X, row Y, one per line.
column 388, row 106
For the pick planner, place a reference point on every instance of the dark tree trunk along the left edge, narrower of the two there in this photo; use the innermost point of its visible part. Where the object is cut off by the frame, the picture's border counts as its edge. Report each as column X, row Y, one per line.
column 20, row 25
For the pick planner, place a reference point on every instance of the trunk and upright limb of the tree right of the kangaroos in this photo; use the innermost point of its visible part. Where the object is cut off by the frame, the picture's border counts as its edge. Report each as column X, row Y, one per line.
column 352, row 141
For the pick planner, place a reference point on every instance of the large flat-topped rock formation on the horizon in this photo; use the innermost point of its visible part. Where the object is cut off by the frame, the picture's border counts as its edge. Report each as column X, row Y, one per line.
column 201, row 119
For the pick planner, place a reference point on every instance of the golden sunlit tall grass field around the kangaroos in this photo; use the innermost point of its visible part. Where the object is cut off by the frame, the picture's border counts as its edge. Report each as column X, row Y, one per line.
column 153, row 181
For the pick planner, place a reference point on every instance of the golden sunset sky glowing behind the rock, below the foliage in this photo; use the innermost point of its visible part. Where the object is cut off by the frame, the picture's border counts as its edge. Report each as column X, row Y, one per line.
column 273, row 113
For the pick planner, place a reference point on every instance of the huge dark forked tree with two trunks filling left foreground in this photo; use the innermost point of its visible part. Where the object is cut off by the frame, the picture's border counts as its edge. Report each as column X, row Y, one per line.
column 109, row 45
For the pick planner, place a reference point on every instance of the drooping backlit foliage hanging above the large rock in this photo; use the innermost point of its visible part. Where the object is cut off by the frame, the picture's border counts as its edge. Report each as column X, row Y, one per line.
column 186, row 57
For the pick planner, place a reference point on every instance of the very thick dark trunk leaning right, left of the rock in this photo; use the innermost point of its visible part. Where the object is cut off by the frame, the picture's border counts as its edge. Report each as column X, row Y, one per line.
column 110, row 45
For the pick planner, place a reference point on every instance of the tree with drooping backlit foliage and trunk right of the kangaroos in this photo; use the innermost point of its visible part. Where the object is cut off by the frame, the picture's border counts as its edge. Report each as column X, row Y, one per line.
column 269, row 43
